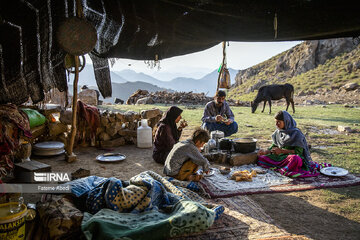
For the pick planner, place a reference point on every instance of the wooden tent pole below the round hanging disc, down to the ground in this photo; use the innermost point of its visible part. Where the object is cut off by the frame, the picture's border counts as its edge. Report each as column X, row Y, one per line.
column 70, row 155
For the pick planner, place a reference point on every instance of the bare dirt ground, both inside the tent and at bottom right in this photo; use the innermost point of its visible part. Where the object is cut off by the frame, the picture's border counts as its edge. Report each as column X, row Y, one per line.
column 298, row 213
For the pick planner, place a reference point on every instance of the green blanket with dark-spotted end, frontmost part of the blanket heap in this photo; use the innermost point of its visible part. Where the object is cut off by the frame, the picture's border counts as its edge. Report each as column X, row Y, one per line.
column 184, row 218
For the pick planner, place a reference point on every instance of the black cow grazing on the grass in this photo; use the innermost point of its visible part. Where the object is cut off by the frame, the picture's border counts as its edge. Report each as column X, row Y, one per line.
column 274, row 92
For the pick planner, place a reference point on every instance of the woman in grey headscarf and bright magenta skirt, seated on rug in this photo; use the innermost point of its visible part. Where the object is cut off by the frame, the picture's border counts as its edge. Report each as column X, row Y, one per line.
column 289, row 153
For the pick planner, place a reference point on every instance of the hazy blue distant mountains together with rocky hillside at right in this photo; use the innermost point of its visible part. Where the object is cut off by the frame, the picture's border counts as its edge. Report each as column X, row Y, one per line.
column 311, row 66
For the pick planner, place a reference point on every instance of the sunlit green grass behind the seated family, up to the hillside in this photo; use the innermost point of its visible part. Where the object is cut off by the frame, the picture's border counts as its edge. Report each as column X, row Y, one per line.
column 318, row 123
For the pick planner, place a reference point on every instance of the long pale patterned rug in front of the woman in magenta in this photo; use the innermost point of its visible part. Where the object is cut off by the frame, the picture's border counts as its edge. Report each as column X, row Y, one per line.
column 214, row 189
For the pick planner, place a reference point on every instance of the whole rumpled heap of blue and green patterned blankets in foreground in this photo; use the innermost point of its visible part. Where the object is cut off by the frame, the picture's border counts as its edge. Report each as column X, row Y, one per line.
column 147, row 203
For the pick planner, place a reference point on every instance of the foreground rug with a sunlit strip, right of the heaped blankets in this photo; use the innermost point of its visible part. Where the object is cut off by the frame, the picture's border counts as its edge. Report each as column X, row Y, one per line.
column 242, row 219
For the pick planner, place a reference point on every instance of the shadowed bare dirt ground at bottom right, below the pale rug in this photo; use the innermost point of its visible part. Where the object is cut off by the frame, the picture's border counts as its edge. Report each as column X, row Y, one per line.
column 301, row 213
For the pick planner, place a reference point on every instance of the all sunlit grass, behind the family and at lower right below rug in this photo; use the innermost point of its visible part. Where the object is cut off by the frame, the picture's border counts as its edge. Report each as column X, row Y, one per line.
column 319, row 124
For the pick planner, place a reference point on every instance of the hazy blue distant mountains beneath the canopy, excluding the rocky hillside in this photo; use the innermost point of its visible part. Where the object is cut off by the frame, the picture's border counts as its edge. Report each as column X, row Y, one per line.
column 125, row 82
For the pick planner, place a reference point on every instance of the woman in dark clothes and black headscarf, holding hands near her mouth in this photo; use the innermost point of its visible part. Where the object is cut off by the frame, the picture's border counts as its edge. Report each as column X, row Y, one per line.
column 167, row 133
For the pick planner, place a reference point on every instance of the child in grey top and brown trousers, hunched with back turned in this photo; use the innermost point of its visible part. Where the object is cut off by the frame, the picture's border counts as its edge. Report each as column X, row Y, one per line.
column 185, row 158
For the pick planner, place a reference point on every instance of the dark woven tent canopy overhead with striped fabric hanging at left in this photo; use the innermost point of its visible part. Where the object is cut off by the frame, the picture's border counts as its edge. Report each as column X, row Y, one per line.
column 31, row 62
